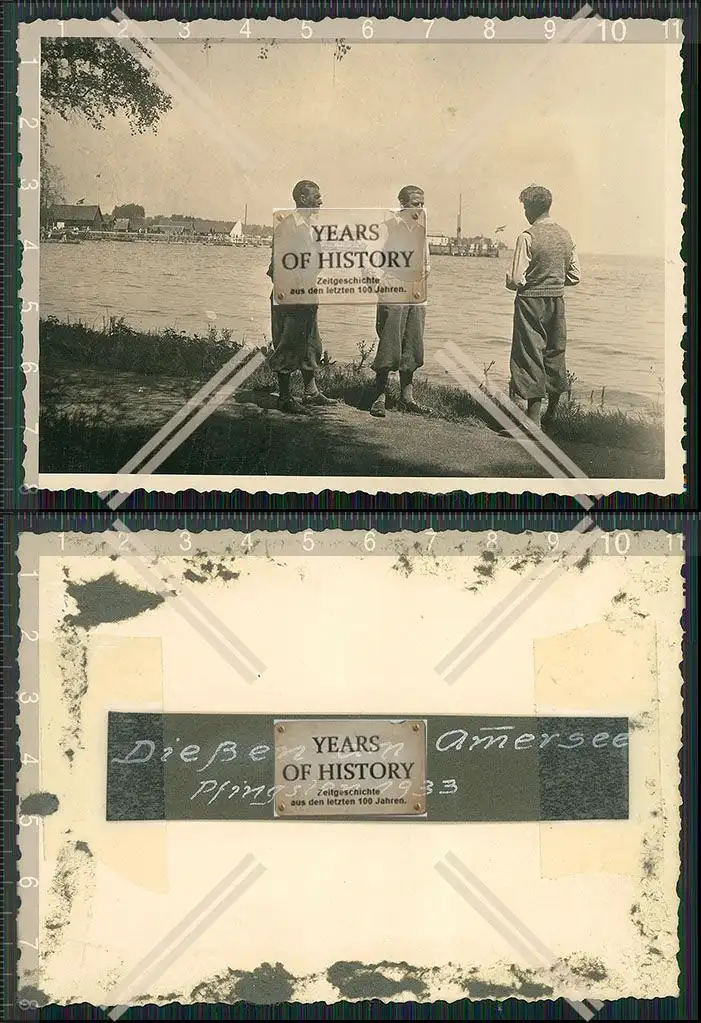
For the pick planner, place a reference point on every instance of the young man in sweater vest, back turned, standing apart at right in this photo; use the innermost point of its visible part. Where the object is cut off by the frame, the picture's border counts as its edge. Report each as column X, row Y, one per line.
column 545, row 263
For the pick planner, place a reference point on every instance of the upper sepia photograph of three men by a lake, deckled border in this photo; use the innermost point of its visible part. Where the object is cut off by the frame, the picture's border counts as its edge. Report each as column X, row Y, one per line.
column 547, row 348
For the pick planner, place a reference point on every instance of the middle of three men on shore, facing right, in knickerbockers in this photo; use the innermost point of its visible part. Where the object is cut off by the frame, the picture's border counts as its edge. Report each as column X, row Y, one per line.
column 401, row 331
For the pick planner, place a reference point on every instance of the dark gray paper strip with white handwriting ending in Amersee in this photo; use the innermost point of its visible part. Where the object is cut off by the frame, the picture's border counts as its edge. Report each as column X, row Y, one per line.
column 223, row 768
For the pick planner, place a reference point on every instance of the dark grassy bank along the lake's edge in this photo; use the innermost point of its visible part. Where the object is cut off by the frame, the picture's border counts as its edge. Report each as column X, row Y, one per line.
column 86, row 373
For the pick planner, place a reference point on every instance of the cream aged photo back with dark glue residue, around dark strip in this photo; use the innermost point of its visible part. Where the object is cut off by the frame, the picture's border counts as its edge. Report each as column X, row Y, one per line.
column 362, row 626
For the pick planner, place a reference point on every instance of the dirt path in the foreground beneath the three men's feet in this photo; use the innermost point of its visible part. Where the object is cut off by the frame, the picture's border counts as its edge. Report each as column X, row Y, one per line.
column 248, row 435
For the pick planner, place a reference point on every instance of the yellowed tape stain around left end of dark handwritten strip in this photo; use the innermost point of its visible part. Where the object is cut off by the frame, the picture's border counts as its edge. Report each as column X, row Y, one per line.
column 81, row 681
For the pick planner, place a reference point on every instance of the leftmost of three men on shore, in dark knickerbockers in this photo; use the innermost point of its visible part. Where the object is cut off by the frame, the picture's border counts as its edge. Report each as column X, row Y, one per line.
column 296, row 338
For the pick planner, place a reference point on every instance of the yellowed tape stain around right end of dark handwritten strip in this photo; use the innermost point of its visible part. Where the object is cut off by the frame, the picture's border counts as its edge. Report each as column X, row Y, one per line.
column 602, row 669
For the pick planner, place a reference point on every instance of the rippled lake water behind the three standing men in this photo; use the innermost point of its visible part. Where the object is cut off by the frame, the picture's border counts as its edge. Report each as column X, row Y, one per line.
column 616, row 318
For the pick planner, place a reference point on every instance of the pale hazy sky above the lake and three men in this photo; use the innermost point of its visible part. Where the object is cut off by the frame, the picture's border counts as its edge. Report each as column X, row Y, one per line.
column 586, row 120
